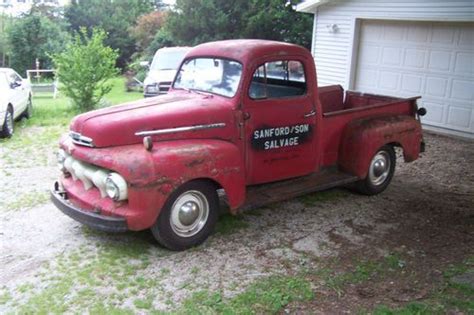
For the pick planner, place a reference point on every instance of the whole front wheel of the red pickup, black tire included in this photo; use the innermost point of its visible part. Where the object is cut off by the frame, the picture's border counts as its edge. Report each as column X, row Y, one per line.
column 188, row 216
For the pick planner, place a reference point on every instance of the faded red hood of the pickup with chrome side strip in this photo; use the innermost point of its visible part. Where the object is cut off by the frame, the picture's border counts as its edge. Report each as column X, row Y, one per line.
column 118, row 125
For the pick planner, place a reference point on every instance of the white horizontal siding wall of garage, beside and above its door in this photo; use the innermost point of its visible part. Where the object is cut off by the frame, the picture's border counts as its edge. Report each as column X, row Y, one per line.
column 336, row 52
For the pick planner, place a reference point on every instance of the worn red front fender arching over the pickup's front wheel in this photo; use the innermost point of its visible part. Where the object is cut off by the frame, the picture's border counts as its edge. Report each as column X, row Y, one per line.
column 153, row 175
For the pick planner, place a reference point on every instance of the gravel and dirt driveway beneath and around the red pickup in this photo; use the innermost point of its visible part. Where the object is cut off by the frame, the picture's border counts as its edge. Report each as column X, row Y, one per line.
column 357, row 252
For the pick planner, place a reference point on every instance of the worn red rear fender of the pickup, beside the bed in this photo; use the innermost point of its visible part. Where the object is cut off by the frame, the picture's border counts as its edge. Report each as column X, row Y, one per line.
column 363, row 137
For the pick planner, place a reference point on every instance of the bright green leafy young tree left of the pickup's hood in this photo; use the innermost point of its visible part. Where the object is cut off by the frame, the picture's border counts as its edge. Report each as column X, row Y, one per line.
column 85, row 67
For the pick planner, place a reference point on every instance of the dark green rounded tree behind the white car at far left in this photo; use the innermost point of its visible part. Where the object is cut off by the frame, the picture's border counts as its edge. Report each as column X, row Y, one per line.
column 34, row 37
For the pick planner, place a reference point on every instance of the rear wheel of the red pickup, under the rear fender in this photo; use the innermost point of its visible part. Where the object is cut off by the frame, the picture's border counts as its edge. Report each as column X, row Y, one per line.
column 380, row 173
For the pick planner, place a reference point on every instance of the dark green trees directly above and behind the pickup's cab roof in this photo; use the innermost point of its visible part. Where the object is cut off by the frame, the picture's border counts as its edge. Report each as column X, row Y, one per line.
column 198, row 21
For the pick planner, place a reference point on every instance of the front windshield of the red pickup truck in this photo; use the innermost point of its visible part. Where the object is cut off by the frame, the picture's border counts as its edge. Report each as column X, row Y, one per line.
column 213, row 75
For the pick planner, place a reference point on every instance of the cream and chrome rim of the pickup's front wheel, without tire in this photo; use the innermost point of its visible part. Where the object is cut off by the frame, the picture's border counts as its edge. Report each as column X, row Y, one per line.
column 189, row 213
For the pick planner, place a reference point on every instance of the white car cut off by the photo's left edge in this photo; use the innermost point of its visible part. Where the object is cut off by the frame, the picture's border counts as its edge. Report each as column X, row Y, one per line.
column 15, row 100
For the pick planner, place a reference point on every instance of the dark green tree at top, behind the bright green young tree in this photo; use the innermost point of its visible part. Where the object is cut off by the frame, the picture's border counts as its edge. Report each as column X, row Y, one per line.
column 116, row 17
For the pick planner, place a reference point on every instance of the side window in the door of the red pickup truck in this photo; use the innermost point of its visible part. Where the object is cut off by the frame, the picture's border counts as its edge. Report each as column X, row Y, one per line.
column 278, row 79
